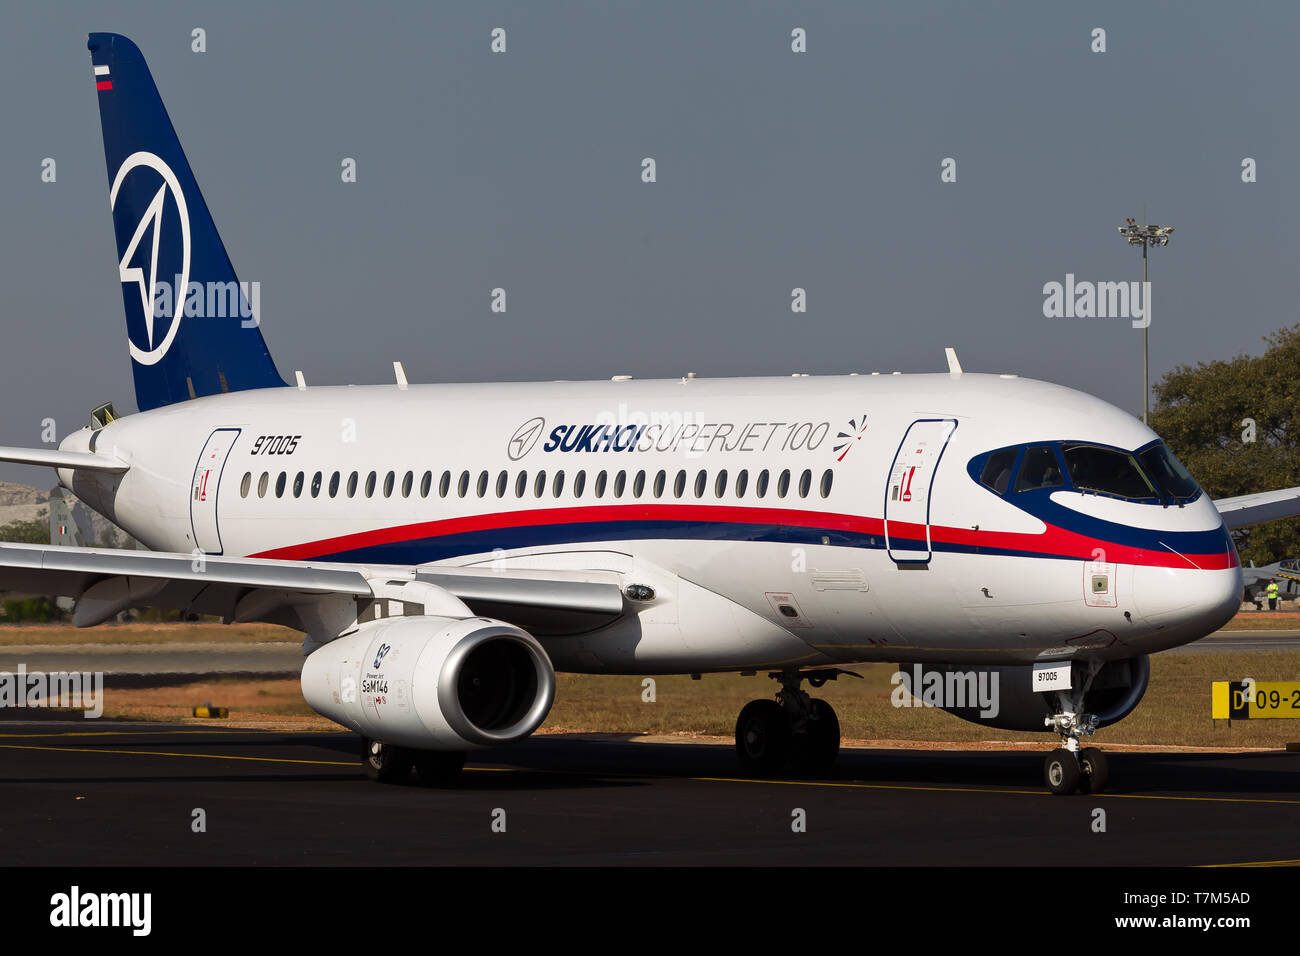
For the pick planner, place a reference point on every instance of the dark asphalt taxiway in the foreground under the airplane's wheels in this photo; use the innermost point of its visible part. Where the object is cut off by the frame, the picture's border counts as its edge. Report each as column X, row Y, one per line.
column 125, row 794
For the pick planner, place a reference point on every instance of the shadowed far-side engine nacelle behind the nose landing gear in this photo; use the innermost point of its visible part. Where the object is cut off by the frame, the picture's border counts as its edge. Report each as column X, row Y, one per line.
column 1115, row 693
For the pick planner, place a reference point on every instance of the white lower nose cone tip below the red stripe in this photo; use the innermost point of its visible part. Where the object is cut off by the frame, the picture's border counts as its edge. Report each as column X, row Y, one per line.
column 1188, row 603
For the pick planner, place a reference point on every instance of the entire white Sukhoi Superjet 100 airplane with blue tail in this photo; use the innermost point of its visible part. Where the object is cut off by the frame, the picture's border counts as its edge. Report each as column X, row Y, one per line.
column 448, row 548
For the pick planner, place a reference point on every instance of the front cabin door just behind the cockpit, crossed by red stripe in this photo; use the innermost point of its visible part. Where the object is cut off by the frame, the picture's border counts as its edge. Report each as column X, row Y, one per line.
column 909, row 487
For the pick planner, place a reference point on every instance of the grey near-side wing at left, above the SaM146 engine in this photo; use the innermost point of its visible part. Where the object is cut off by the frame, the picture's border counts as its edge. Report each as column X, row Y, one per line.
column 319, row 599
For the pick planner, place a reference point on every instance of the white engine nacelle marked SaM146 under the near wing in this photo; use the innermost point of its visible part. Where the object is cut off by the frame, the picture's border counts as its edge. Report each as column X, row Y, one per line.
column 434, row 684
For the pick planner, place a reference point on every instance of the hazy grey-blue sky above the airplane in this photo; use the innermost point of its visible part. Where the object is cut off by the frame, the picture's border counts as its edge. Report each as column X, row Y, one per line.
column 774, row 171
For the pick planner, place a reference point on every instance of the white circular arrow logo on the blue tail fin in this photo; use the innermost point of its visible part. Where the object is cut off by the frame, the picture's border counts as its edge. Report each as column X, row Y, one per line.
column 140, row 262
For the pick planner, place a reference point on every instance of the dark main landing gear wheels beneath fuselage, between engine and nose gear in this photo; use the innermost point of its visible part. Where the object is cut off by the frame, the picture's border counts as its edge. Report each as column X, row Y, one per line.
column 795, row 730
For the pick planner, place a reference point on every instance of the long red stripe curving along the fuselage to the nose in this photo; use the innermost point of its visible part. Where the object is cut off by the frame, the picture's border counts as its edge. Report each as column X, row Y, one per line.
column 1054, row 543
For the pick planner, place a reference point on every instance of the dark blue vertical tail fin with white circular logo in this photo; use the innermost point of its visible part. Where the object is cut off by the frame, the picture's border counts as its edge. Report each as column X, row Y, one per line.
column 190, row 325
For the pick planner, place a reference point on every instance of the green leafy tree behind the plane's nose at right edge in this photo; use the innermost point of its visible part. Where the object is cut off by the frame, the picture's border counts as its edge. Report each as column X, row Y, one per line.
column 1232, row 426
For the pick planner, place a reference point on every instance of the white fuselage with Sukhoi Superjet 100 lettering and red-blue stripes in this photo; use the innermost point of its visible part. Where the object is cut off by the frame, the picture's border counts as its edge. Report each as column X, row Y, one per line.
column 882, row 547
